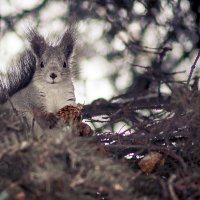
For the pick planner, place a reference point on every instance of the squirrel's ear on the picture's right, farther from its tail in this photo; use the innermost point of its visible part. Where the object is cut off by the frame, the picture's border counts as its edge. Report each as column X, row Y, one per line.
column 68, row 40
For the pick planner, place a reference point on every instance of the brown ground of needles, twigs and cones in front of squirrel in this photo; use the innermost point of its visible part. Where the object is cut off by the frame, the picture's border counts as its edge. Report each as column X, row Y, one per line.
column 156, row 157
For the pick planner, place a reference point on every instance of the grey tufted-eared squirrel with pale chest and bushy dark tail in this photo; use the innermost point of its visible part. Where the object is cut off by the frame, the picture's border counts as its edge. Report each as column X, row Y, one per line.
column 41, row 81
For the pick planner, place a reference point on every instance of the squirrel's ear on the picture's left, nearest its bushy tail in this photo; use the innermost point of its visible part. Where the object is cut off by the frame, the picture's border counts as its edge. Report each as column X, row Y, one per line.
column 37, row 42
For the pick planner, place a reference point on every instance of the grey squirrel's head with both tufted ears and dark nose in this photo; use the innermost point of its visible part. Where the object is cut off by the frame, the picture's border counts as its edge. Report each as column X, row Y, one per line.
column 53, row 61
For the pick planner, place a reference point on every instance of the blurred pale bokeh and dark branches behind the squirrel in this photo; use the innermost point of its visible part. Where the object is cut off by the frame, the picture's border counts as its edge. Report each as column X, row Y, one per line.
column 125, row 47
